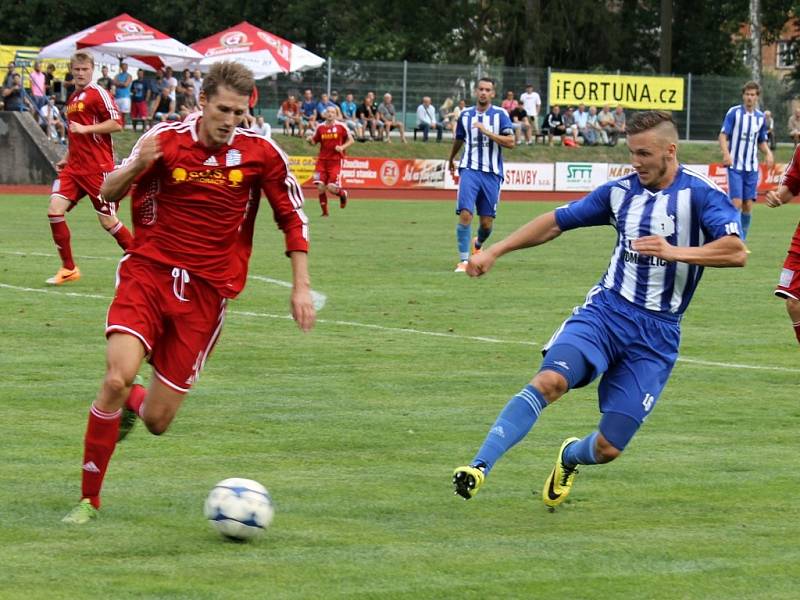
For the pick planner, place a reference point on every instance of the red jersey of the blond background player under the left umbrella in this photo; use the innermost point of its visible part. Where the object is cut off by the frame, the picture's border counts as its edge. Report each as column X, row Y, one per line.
column 93, row 152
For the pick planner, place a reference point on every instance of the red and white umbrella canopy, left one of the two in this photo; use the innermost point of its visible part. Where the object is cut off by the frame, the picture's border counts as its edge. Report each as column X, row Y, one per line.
column 121, row 37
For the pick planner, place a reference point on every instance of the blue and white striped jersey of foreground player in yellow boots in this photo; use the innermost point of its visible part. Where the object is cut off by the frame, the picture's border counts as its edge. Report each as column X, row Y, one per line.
column 690, row 212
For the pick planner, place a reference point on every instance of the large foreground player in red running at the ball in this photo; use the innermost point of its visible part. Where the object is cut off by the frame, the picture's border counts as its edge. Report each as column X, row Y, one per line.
column 190, row 259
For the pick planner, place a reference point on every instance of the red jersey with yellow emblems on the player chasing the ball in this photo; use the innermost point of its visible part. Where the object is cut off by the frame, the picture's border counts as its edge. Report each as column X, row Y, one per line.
column 198, row 204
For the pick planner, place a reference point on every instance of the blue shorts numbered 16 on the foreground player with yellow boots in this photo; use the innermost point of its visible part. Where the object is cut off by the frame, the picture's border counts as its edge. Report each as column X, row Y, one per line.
column 633, row 348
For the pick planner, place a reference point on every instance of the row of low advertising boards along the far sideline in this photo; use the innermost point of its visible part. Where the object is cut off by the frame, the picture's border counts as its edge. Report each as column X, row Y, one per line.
column 430, row 174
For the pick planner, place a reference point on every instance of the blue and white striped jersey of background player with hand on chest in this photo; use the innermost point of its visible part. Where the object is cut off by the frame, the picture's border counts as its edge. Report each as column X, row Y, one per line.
column 481, row 153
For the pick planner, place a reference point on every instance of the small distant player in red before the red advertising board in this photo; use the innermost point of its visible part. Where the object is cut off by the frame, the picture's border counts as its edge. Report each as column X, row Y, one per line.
column 333, row 138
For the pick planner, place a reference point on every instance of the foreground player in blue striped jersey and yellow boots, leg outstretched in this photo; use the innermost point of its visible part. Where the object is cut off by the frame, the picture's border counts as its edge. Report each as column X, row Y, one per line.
column 671, row 223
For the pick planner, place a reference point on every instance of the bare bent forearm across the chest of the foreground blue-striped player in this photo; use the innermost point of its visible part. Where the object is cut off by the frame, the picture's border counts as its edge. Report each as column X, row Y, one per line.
column 727, row 251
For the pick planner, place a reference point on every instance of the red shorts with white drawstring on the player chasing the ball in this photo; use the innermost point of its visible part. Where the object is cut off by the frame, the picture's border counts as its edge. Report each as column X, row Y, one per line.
column 177, row 318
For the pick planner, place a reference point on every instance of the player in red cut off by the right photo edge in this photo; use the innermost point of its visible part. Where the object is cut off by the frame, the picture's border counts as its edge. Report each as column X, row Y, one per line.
column 789, row 283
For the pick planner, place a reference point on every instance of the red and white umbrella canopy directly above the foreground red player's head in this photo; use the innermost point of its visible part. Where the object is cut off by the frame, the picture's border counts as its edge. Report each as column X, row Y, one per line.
column 264, row 53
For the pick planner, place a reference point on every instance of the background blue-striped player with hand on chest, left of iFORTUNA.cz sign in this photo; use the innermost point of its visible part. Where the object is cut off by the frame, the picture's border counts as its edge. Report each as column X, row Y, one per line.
column 485, row 129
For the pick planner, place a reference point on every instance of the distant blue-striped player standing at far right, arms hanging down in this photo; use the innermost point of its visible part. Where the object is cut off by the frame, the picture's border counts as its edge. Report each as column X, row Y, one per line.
column 744, row 132
